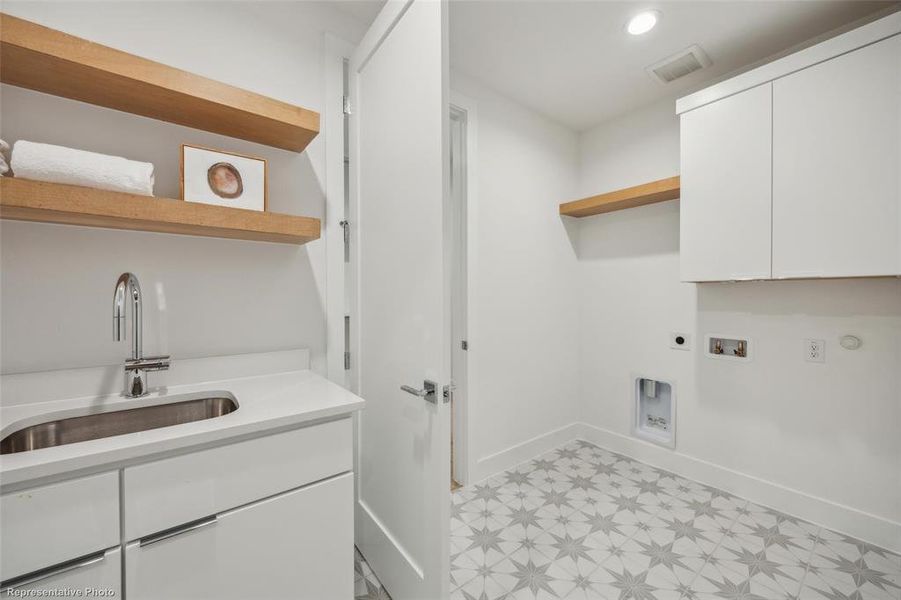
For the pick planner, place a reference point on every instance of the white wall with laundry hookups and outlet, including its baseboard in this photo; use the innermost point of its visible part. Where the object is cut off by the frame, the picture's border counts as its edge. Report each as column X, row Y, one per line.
column 826, row 431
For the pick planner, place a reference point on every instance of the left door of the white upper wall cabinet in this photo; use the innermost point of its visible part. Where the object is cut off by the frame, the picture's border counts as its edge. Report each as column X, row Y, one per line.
column 726, row 201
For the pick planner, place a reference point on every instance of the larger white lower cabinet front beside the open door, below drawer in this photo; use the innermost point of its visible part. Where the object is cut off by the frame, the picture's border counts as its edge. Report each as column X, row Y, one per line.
column 296, row 545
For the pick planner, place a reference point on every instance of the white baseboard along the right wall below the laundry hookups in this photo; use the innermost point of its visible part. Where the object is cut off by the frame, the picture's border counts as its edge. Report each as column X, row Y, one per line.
column 850, row 521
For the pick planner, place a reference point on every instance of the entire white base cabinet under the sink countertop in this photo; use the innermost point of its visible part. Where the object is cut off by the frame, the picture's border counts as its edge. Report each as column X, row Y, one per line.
column 264, row 516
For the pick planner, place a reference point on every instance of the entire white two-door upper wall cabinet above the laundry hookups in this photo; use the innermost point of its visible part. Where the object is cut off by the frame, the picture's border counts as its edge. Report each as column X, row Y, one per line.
column 793, row 169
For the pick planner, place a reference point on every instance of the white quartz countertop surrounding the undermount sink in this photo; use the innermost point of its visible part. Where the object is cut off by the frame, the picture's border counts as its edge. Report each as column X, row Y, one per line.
column 265, row 402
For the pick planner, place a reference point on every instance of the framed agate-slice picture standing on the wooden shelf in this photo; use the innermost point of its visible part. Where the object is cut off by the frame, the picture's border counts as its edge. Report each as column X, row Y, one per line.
column 223, row 178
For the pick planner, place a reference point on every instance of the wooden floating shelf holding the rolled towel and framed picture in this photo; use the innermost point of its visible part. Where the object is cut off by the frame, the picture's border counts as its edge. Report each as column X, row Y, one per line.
column 27, row 200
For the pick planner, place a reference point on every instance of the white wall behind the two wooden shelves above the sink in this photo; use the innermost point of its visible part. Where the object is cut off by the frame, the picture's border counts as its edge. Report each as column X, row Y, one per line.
column 203, row 296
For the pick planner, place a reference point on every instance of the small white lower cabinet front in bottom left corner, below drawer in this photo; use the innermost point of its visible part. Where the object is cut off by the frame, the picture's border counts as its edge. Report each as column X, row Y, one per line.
column 101, row 573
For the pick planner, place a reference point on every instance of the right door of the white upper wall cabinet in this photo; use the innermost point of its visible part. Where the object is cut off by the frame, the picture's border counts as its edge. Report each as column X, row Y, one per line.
column 837, row 166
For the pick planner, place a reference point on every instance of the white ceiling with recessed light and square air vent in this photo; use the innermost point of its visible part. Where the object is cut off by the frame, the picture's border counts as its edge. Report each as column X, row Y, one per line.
column 574, row 63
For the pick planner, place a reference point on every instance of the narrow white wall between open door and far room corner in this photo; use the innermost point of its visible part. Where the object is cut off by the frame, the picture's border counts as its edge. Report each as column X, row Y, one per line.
column 523, row 321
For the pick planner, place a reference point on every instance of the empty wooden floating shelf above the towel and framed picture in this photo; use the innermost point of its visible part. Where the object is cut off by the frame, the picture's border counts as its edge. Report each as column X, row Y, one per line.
column 39, row 58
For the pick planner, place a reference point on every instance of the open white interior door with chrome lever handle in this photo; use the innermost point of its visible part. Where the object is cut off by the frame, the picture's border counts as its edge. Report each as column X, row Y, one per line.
column 399, row 180
